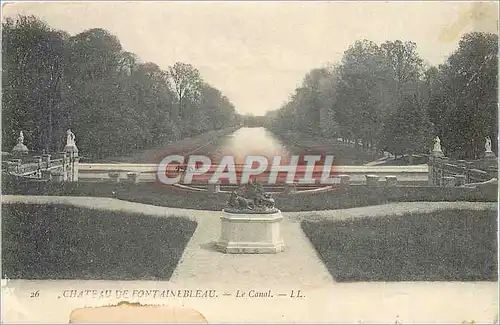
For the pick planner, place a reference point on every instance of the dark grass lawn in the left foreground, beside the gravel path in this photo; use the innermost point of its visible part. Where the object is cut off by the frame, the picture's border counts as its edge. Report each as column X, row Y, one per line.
column 64, row 242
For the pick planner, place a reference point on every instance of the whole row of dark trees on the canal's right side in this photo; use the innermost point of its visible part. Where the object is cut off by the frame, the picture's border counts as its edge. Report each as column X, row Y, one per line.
column 383, row 96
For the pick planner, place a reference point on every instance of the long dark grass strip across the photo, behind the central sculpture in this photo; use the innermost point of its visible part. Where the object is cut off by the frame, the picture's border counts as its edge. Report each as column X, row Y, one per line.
column 337, row 198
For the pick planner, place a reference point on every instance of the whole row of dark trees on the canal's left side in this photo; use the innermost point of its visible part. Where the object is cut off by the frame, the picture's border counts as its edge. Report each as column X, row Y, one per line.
column 114, row 103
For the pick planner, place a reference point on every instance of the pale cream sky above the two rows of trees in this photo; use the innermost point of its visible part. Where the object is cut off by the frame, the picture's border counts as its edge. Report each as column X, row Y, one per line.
column 257, row 53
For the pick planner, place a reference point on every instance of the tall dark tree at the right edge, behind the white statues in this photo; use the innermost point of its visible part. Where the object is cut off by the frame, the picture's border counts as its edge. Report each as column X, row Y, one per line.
column 464, row 100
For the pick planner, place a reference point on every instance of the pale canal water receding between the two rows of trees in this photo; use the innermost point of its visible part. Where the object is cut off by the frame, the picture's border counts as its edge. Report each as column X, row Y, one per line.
column 249, row 141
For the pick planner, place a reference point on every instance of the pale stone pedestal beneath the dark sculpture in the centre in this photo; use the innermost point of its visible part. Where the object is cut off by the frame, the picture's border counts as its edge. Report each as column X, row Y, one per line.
column 250, row 233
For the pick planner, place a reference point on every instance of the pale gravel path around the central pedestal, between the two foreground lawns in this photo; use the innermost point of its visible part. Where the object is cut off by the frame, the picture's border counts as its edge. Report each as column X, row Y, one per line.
column 298, row 264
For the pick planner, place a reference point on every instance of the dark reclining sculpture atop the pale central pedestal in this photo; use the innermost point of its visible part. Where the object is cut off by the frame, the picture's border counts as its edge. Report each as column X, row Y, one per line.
column 253, row 199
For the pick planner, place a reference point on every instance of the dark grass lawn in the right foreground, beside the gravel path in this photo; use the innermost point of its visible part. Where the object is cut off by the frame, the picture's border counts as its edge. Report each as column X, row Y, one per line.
column 453, row 245
